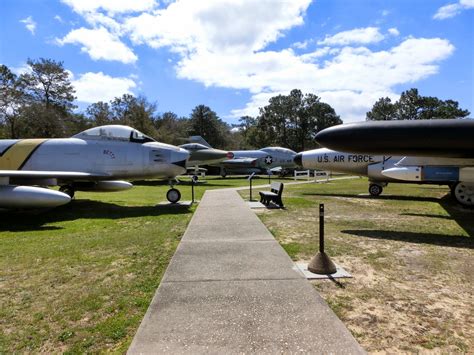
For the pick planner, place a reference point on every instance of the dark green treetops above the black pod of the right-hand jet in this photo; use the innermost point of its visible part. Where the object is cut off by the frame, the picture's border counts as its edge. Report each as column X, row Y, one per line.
column 413, row 106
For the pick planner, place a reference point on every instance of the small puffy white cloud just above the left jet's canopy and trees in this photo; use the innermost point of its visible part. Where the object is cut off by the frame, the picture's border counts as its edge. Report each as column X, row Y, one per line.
column 94, row 87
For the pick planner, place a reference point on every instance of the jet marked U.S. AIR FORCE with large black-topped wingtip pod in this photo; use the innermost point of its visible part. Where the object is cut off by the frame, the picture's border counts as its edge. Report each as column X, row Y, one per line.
column 427, row 152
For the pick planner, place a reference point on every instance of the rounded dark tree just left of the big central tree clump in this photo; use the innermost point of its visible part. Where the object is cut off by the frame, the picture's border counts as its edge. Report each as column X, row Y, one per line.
column 205, row 123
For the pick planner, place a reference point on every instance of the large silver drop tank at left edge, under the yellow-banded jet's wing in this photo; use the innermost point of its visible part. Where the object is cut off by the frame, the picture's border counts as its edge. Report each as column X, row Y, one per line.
column 12, row 196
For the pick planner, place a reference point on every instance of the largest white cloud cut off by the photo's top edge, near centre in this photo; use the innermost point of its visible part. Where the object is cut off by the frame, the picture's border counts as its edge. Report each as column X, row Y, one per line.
column 217, row 25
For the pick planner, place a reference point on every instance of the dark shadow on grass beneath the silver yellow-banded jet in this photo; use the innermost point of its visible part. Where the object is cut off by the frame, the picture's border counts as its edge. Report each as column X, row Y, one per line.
column 80, row 209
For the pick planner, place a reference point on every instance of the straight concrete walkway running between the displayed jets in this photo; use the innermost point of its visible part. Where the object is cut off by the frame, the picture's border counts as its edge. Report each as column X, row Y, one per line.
column 231, row 288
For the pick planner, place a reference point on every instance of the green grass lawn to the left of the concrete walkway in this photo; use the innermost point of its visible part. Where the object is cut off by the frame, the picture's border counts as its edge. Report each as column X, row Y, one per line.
column 80, row 277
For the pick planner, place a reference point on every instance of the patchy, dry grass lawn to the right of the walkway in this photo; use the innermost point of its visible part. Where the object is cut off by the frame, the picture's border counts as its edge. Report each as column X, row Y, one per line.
column 410, row 252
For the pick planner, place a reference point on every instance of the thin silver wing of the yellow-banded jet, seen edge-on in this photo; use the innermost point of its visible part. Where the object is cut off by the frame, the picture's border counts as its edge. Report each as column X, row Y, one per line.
column 65, row 175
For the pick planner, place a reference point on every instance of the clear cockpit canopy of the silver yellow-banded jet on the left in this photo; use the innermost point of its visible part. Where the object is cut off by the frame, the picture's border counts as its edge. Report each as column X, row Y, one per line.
column 115, row 132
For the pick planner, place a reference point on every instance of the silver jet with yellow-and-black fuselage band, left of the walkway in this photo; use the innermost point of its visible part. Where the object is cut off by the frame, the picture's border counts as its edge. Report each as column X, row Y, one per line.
column 92, row 160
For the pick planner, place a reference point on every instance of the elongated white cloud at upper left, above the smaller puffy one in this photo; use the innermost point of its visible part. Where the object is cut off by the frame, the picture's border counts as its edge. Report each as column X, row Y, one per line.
column 100, row 44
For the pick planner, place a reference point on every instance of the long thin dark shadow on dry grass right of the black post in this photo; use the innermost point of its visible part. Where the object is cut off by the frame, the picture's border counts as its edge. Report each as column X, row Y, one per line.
column 412, row 237
